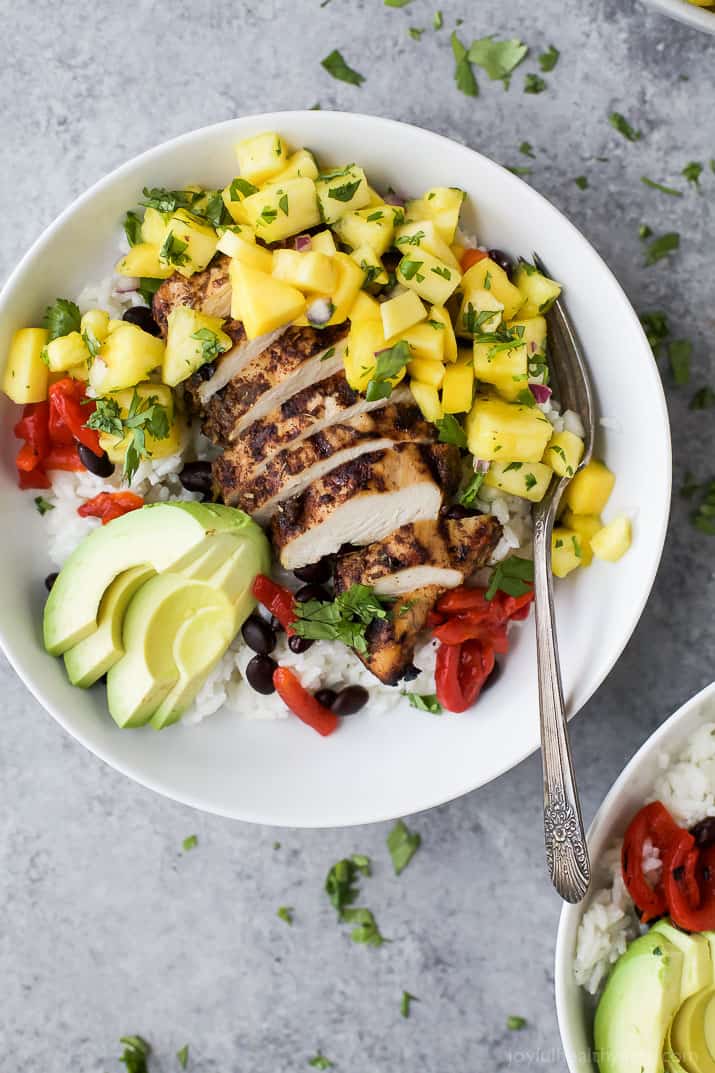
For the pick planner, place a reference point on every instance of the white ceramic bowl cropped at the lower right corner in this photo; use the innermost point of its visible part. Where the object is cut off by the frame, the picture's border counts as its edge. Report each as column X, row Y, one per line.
column 629, row 793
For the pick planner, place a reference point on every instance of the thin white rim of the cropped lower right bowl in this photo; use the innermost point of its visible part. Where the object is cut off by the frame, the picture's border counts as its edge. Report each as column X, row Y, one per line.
column 600, row 835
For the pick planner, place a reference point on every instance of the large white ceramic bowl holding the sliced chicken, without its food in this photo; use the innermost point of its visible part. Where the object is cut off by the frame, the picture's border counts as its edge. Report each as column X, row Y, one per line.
column 373, row 770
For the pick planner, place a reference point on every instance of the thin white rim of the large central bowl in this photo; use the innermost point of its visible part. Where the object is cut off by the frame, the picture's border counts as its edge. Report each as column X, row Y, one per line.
column 659, row 539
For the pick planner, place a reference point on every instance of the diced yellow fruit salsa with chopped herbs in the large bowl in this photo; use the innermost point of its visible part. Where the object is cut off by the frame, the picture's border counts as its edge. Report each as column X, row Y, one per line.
column 464, row 329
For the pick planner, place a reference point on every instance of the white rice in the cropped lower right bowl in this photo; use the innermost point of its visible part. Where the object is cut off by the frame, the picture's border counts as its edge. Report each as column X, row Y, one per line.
column 687, row 787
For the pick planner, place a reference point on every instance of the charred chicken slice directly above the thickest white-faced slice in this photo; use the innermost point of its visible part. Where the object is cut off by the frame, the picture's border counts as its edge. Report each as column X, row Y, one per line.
column 291, row 472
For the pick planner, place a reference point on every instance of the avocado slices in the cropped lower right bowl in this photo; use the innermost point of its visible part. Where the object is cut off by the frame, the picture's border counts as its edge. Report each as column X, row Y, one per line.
column 658, row 1011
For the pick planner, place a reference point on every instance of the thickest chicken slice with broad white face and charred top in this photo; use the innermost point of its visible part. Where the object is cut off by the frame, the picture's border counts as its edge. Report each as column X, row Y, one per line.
column 364, row 501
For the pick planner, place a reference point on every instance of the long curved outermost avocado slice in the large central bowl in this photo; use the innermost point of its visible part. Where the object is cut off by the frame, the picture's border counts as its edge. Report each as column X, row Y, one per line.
column 163, row 536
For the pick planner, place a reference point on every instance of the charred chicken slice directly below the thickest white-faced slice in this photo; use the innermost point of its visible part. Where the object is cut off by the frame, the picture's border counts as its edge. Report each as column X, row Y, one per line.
column 442, row 553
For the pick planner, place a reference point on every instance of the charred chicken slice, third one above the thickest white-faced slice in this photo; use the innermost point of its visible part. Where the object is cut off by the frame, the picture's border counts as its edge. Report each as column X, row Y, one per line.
column 301, row 358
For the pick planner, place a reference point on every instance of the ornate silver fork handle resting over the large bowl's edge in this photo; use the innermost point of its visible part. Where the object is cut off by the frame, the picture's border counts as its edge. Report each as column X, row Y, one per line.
column 567, row 854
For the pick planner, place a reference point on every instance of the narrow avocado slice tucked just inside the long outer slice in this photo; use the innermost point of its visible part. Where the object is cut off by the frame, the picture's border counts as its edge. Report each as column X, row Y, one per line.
column 89, row 660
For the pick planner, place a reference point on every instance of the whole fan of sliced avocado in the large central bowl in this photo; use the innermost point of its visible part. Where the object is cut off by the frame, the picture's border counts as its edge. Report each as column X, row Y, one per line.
column 153, row 600
